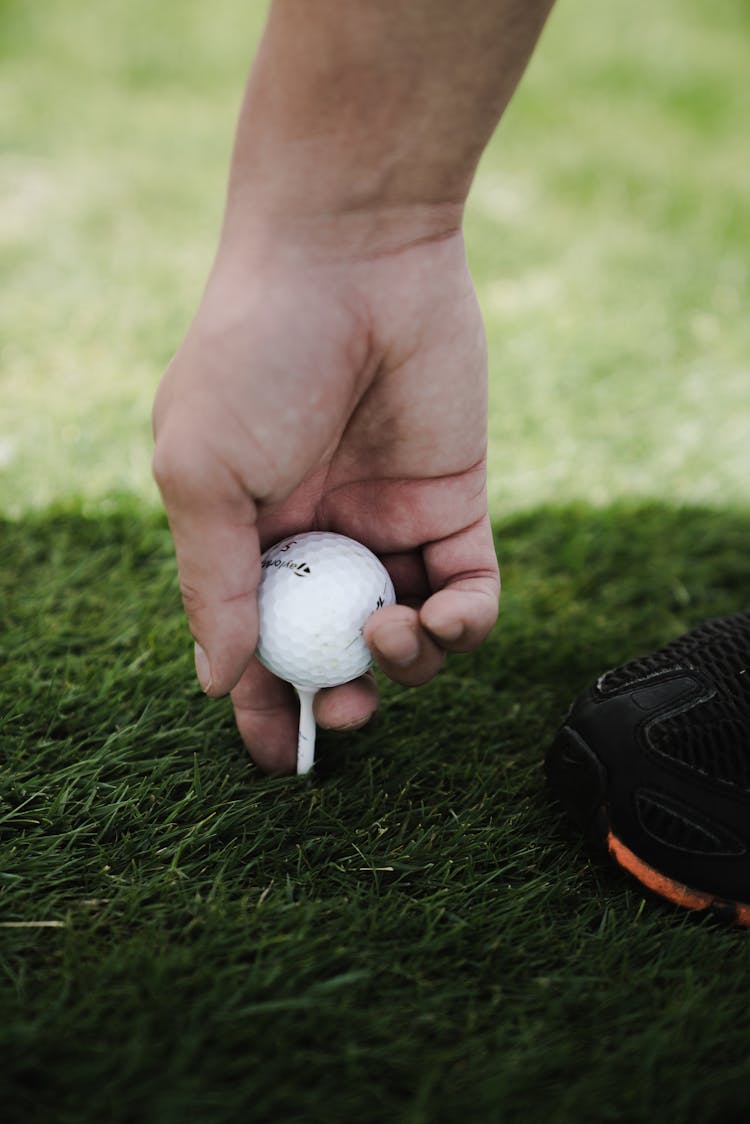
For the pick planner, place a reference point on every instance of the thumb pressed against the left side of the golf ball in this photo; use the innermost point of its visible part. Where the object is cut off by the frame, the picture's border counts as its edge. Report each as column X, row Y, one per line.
column 213, row 524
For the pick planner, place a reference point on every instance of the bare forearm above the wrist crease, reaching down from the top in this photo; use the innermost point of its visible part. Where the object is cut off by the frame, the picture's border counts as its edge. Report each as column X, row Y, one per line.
column 364, row 108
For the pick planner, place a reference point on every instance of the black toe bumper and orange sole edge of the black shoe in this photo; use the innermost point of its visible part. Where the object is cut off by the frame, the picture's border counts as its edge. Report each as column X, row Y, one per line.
column 580, row 782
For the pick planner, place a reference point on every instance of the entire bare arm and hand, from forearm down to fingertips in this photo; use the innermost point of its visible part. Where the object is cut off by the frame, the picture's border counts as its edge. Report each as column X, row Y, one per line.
column 336, row 374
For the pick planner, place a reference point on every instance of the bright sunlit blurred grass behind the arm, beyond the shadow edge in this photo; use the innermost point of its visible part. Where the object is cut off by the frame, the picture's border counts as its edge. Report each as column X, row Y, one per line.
column 609, row 231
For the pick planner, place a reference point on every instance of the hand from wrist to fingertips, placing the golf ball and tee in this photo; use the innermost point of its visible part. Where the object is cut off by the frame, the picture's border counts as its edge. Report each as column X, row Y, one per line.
column 340, row 394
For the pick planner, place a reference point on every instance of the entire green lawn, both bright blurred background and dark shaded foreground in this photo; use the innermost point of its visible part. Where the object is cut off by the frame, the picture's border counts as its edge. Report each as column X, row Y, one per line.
column 412, row 935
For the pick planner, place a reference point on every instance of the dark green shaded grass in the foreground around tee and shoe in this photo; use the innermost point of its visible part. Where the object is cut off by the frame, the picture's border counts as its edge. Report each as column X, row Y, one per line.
column 411, row 935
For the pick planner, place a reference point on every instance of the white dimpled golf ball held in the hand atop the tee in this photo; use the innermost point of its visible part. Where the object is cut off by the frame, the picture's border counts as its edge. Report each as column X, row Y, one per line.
column 318, row 591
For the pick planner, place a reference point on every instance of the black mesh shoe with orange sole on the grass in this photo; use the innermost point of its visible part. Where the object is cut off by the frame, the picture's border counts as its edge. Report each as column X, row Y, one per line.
column 655, row 762
